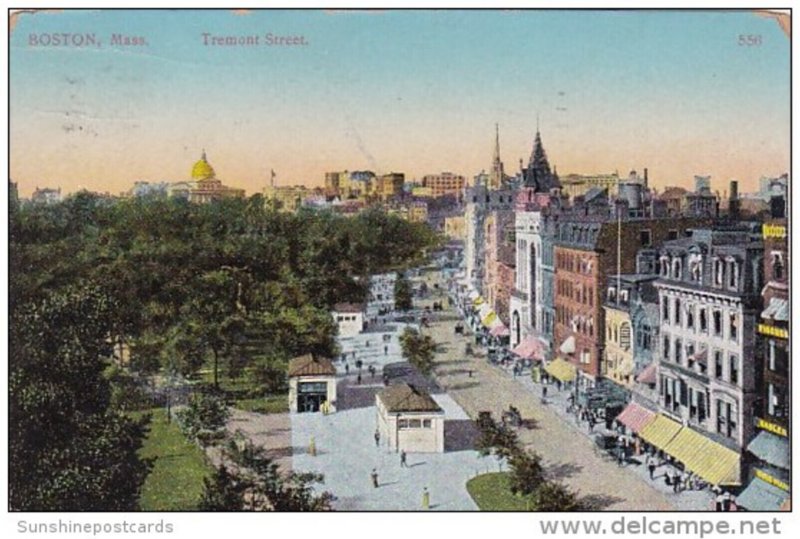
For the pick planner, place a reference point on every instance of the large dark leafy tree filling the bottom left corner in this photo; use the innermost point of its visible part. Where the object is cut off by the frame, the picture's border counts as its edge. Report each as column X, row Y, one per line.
column 69, row 448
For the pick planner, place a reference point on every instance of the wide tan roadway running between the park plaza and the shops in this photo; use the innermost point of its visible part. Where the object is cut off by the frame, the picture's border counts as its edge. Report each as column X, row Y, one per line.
column 569, row 457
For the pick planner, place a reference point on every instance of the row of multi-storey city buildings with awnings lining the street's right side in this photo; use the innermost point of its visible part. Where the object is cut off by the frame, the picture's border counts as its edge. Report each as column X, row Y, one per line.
column 681, row 304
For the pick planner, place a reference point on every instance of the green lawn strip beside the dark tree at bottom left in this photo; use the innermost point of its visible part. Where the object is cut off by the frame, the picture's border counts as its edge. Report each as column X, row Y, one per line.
column 176, row 481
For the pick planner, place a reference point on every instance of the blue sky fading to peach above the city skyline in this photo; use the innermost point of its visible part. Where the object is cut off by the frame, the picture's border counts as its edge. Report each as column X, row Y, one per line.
column 412, row 91
